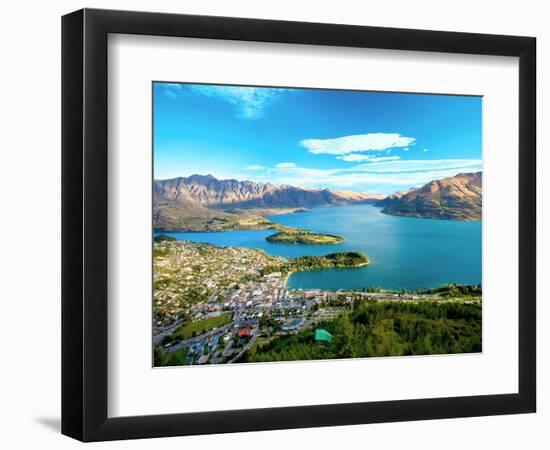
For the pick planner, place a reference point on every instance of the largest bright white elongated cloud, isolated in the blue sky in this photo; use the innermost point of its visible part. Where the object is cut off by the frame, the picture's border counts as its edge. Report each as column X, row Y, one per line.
column 356, row 143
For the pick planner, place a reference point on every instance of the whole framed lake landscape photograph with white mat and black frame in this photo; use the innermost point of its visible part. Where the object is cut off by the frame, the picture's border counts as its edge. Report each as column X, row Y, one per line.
column 273, row 224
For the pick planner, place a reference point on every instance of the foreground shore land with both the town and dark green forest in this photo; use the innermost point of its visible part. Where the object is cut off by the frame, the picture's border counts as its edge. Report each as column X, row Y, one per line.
column 221, row 305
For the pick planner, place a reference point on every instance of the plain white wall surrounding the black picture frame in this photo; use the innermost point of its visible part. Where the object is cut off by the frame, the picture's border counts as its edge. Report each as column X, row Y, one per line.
column 30, row 177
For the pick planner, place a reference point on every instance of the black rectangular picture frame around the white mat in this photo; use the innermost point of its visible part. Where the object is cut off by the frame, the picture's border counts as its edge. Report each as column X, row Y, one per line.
column 84, row 224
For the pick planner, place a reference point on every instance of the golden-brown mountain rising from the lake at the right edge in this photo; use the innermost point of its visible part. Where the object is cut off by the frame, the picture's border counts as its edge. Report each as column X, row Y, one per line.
column 455, row 198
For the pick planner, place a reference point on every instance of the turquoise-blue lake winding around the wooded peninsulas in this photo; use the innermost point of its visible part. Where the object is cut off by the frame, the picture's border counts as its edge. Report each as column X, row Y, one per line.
column 405, row 253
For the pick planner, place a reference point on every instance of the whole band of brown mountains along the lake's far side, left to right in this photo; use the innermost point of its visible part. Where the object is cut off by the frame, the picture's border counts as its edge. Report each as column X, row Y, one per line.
column 203, row 202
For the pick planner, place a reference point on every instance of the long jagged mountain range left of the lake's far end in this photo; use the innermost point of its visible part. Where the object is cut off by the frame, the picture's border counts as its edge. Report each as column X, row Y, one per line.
column 204, row 202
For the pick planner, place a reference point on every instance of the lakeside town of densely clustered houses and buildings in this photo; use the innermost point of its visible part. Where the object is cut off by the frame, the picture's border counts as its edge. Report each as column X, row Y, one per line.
column 214, row 304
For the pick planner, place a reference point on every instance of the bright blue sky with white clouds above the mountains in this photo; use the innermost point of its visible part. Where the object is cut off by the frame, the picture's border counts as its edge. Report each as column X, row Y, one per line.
column 360, row 141
